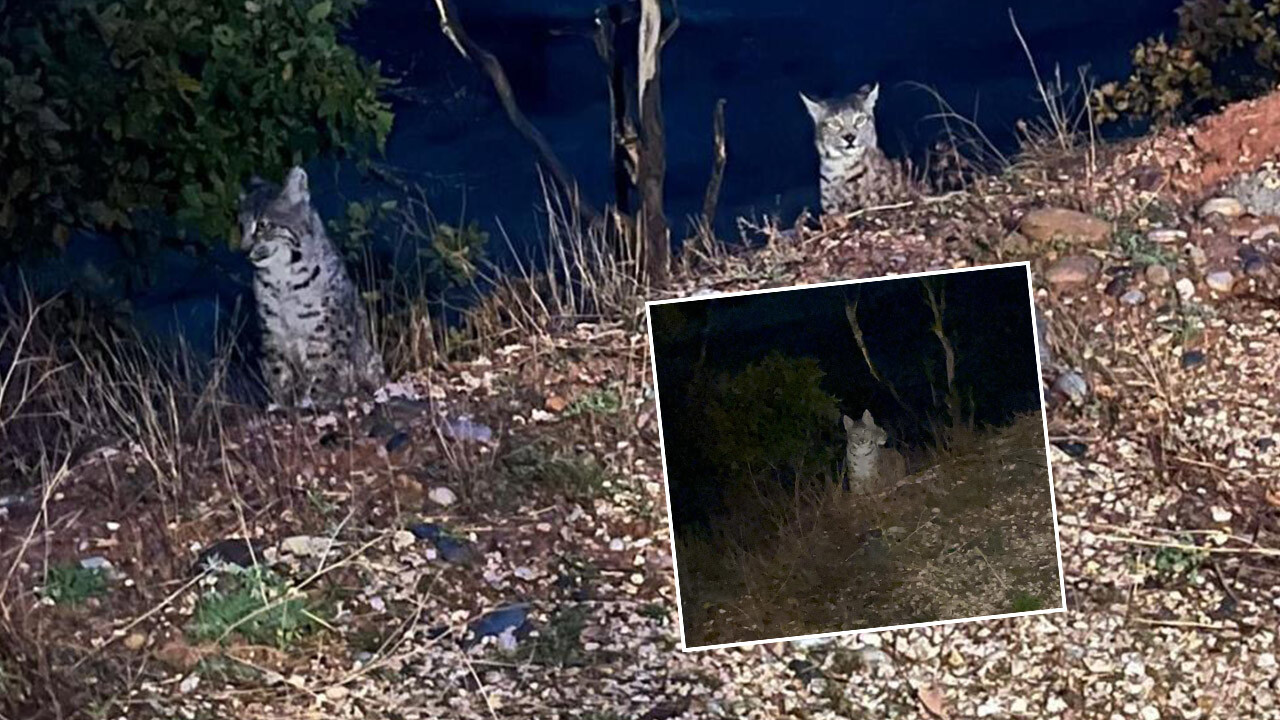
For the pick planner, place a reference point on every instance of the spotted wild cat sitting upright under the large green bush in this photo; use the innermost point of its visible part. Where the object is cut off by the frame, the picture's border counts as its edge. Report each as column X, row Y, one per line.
column 317, row 348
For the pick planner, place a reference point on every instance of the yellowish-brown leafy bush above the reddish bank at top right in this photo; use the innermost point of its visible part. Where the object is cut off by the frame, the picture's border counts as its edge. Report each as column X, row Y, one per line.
column 1224, row 51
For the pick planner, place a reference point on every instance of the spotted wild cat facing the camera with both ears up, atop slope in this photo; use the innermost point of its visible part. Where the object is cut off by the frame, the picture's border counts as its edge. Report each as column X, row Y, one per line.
column 854, row 172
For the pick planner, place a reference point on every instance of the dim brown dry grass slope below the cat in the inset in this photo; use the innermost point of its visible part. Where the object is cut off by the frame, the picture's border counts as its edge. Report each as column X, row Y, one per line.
column 854, row 548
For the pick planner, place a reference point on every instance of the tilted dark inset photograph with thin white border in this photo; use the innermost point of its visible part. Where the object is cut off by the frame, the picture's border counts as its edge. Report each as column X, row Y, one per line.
column 856, row 457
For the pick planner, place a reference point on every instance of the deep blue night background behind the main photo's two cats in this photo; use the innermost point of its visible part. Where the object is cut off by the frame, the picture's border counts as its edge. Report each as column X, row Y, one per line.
column 452, row 138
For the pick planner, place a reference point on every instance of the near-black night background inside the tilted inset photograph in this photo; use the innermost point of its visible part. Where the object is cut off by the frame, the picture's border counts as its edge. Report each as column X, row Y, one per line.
column 988, row 321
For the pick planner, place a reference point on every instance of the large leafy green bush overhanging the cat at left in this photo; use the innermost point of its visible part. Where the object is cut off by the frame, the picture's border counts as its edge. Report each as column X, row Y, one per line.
column 118, row 113
